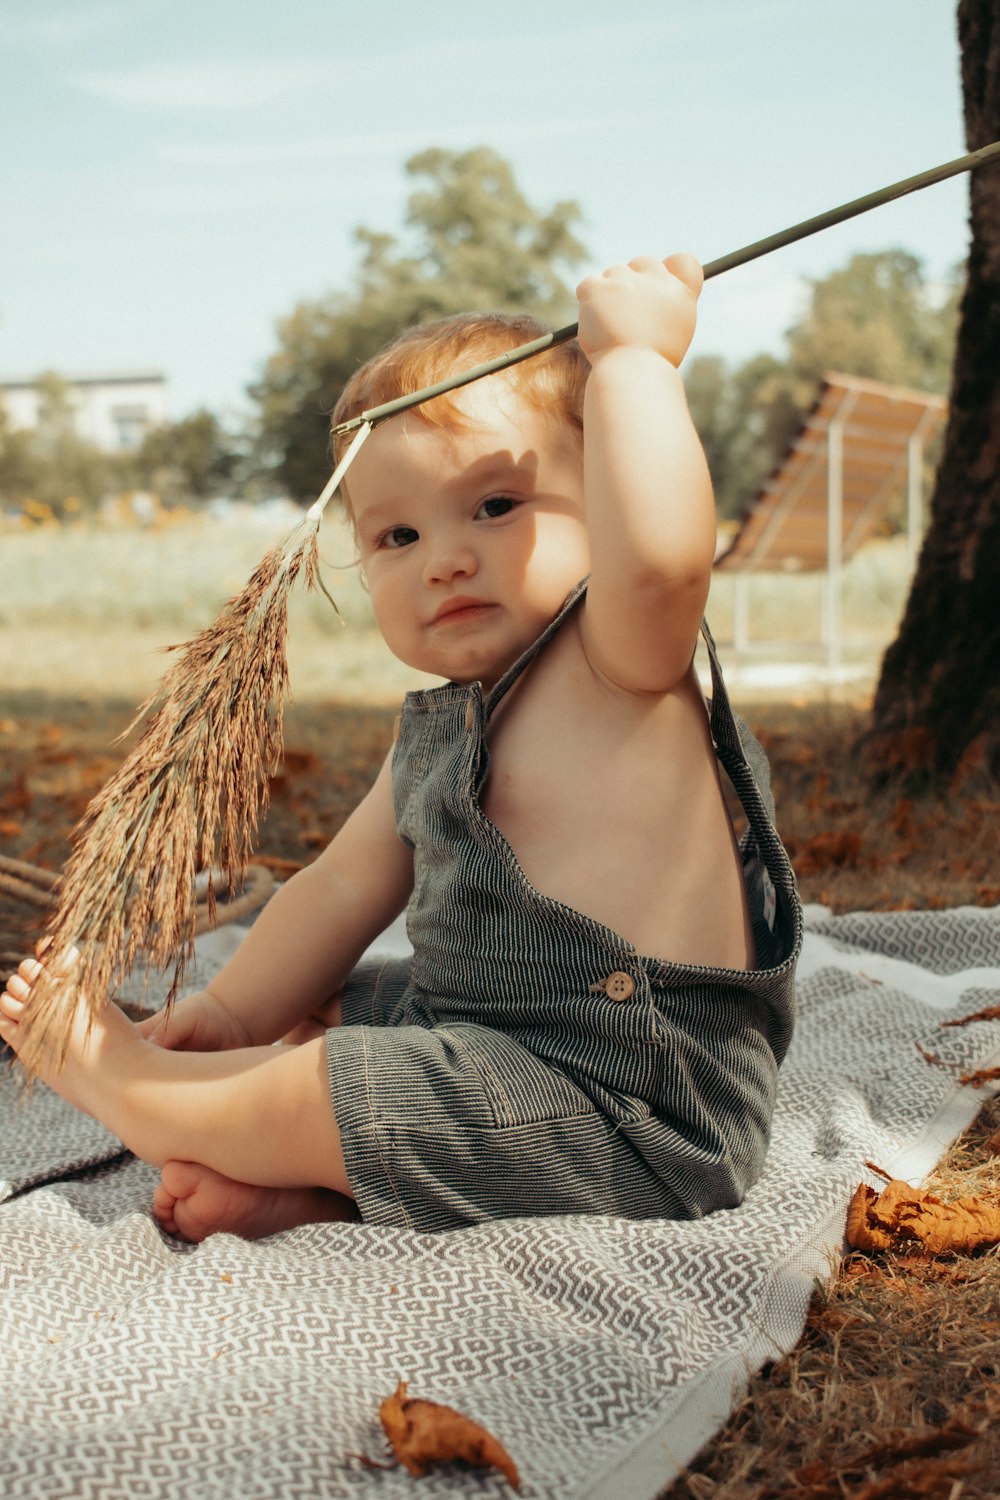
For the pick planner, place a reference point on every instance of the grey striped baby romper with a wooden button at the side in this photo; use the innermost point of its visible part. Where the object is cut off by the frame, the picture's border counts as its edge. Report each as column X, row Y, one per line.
column 528, row 1060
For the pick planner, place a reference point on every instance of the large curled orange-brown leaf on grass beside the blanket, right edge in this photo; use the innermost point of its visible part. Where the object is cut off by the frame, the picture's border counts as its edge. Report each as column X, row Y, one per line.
column 903, row 1216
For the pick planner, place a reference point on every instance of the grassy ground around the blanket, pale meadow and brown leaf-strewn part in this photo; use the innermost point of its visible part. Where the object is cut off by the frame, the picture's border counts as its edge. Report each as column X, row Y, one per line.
column 893, row 1391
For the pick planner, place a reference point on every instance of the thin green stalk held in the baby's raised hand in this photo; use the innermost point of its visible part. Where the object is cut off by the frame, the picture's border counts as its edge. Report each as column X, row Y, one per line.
column 725, row 263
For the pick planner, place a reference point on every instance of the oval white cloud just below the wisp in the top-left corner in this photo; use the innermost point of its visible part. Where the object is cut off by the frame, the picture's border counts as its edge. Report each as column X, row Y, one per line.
column 203, row 86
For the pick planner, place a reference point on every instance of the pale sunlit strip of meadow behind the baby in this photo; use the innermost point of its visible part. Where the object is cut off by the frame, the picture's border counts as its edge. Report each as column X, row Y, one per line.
column 85, row 608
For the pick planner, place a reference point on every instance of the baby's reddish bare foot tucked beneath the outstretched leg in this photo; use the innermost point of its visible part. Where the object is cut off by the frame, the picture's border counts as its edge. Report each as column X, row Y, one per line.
column 196, row 1202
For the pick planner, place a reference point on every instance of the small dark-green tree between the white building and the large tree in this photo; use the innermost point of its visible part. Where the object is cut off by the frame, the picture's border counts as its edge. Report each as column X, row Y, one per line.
column 193, row 460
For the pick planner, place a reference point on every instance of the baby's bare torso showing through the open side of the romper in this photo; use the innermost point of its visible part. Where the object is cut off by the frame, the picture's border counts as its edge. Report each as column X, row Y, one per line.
column 612, row 805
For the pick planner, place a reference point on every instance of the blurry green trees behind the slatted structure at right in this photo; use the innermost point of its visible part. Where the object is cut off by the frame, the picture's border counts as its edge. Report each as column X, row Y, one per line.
column 876, row 317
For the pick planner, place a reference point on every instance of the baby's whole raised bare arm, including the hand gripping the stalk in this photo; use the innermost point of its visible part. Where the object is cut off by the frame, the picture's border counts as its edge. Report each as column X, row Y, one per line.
column 651, row 515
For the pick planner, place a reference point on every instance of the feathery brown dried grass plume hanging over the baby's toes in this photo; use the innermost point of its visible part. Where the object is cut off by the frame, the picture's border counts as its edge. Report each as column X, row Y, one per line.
column 188, row 797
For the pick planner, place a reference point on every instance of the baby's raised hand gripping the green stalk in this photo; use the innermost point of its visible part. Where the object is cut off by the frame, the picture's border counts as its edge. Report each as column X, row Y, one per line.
column 645, row 305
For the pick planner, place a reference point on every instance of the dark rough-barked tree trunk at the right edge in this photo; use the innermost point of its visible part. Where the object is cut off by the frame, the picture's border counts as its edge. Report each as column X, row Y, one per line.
column 939, row 692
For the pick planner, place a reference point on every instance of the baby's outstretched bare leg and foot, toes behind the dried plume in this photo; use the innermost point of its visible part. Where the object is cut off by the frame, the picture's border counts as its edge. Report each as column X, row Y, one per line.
column 260, row 1117
